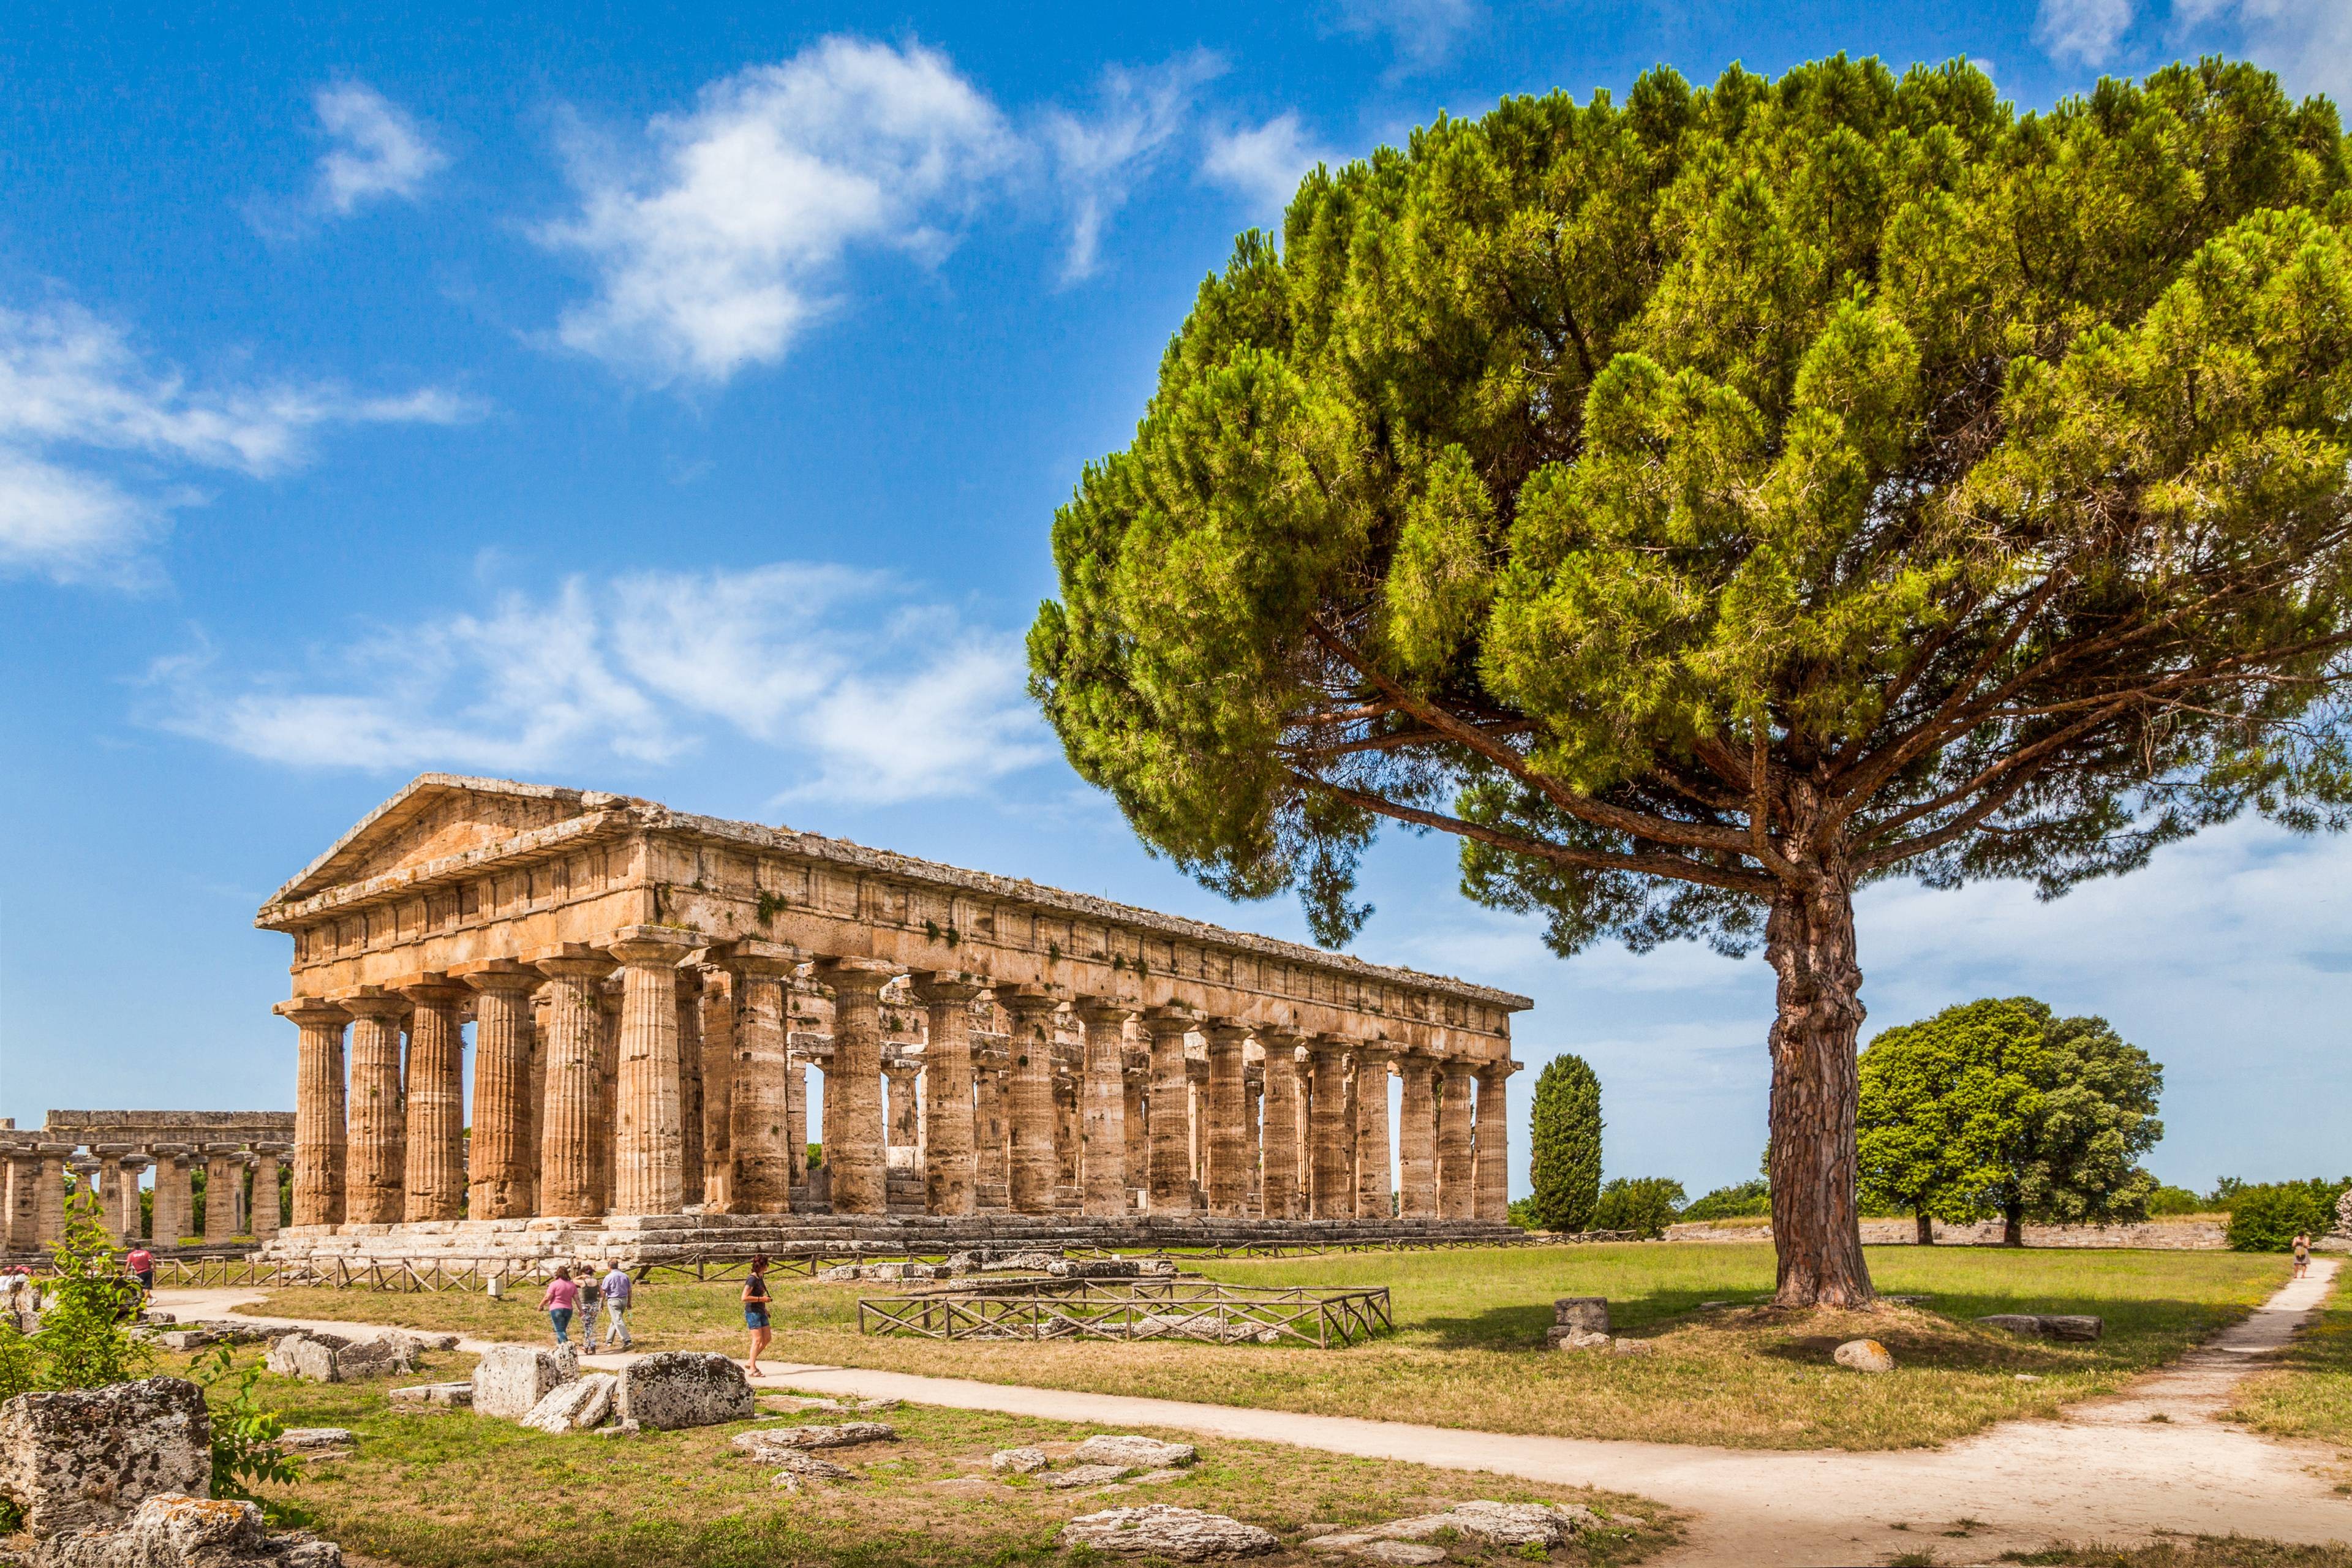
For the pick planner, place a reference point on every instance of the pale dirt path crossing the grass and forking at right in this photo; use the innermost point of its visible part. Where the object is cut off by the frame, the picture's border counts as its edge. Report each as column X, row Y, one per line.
column 2109, row 1470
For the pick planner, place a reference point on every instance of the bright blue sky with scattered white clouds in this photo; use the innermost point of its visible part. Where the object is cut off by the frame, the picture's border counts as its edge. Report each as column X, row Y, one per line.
column 676, row 403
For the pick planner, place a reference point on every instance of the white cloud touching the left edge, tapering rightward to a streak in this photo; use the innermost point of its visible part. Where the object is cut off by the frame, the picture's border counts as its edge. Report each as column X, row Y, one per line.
column 72, row 387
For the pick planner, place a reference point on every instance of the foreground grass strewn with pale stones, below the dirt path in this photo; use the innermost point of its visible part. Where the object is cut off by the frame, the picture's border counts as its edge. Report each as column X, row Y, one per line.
column 460, row 1492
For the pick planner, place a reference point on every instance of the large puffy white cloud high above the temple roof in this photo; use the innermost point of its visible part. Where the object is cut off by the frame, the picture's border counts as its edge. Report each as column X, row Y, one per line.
column 728, row 246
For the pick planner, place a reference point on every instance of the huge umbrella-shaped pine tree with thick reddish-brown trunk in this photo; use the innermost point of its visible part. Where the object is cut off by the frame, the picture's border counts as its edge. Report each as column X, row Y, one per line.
column 1713, row 504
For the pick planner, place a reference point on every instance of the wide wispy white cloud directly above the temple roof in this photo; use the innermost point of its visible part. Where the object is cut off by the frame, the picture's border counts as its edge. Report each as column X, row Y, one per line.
column 648, row 669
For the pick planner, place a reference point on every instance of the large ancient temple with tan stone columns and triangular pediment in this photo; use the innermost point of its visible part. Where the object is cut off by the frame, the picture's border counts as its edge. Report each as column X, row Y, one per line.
column 648, row 996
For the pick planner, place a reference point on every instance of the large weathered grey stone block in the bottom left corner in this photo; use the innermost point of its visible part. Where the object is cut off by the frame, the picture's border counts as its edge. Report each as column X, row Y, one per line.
column 91, row 1456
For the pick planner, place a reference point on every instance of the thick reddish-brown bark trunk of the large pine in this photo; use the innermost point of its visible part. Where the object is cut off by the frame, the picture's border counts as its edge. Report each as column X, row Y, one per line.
column 1815, row 1214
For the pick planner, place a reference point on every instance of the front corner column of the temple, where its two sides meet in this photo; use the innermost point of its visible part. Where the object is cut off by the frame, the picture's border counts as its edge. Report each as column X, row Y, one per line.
column 648, row 1118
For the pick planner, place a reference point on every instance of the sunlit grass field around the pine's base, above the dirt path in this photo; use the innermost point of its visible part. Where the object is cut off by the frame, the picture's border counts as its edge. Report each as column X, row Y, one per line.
column 1471, row 1327
